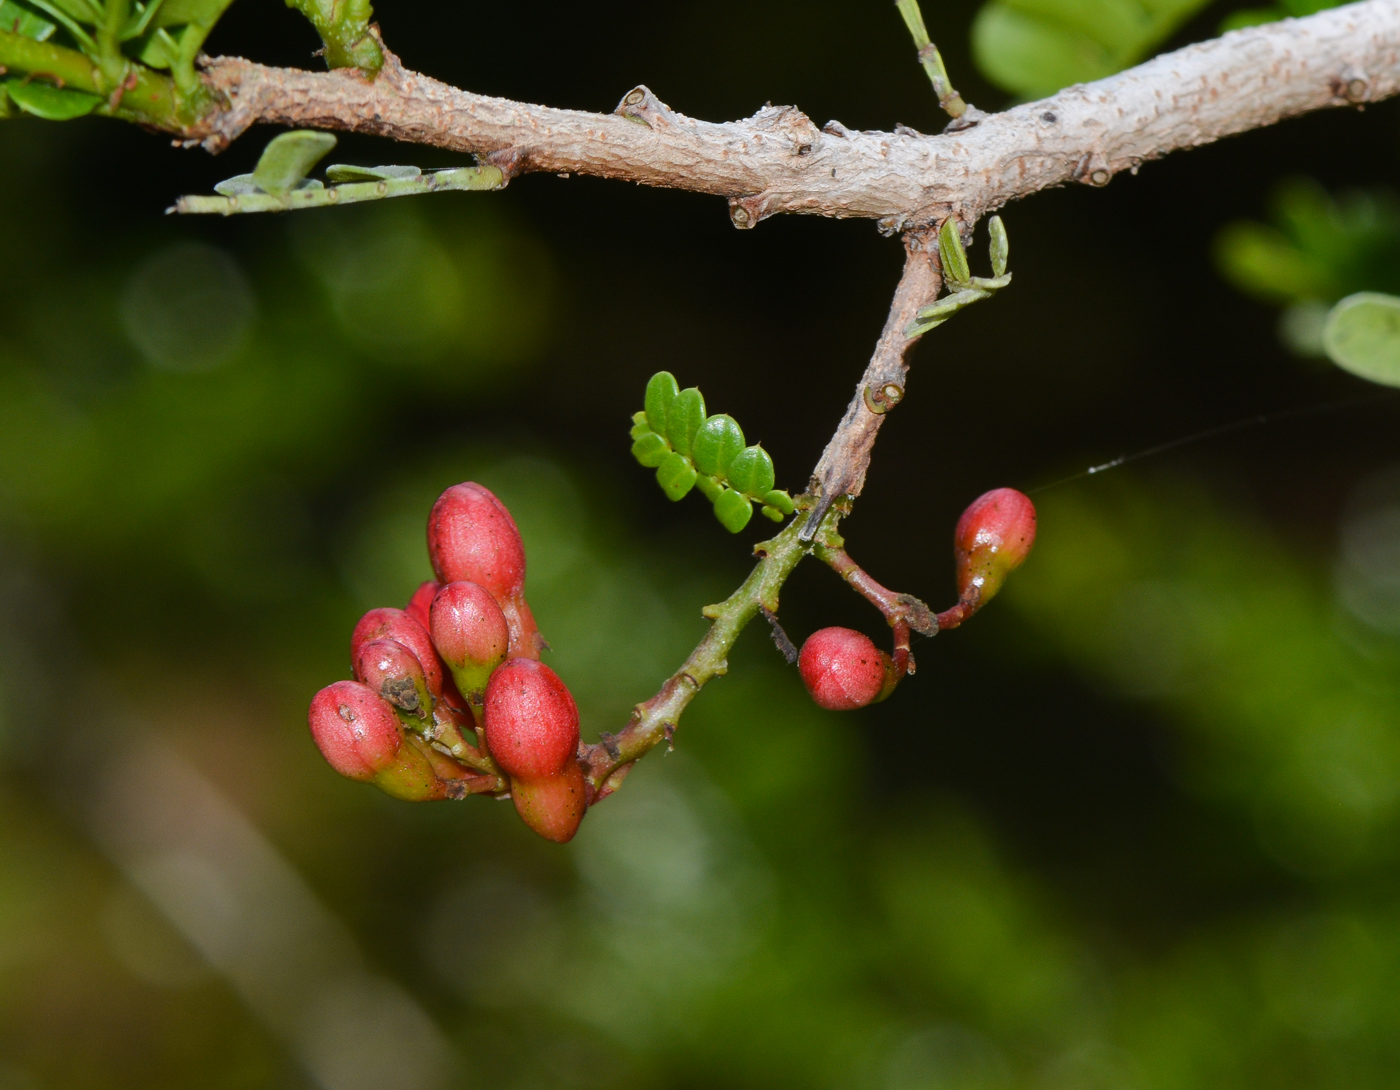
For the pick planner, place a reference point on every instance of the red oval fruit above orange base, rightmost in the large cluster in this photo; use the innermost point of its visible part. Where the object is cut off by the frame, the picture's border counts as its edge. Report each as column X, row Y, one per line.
column 530, row 720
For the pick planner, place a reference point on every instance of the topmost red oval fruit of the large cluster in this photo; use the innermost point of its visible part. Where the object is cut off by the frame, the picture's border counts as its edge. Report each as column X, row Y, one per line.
column 472, row 538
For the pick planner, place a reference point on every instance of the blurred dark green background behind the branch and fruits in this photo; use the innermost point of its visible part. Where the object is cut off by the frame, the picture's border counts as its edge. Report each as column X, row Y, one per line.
column 1133, row 829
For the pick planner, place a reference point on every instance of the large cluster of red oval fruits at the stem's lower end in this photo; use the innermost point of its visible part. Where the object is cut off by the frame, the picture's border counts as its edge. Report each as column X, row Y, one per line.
column 461, row 661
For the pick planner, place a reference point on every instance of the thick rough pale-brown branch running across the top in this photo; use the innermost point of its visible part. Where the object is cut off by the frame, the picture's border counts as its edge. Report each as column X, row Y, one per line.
column 779, row 162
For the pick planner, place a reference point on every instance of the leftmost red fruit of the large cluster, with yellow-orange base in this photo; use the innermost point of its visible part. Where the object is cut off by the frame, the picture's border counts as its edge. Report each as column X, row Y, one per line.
column 360, row 738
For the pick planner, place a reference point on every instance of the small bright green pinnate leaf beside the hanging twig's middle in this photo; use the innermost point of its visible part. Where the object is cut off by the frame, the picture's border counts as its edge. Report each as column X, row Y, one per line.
column 689, row 450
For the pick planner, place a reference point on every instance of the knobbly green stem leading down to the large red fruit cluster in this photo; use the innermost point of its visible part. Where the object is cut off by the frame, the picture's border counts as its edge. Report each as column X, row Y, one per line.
column 656, row 721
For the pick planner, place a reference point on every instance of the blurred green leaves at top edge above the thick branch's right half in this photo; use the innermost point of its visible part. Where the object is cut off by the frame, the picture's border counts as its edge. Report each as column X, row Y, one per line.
column 1034, row 48
